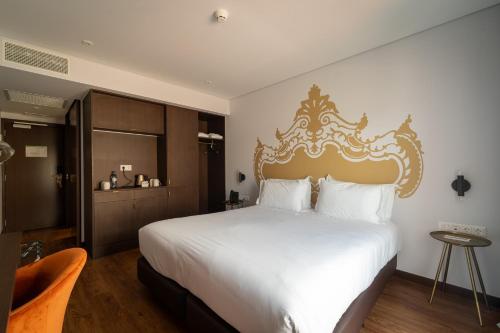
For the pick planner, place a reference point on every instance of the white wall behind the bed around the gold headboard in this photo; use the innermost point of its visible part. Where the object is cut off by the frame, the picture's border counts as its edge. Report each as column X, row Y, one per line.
column 448, row 79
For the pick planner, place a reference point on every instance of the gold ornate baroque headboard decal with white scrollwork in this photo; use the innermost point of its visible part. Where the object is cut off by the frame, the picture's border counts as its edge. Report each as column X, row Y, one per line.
column 321, row 142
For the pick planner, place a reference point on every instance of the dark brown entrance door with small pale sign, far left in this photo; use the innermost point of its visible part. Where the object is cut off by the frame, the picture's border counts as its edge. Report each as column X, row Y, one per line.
column 32, row 181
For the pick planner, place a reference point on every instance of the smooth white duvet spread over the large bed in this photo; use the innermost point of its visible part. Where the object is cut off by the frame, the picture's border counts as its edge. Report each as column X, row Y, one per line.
column 269, row 270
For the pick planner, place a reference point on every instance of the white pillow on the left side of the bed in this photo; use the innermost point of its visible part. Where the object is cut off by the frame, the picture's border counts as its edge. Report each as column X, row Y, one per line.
column 287, row 194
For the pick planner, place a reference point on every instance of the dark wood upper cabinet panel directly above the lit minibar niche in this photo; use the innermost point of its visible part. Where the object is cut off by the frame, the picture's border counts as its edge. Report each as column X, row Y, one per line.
column 127, row 114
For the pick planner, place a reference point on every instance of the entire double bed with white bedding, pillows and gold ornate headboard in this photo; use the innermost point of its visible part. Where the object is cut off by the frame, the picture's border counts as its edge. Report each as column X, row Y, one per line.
column 262, row 269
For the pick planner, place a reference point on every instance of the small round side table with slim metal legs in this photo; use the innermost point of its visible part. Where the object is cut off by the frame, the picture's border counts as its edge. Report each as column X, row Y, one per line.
column 468, row 242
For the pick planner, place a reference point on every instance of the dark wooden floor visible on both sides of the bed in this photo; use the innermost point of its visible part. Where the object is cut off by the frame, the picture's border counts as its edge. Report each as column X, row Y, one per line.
column 109, row 298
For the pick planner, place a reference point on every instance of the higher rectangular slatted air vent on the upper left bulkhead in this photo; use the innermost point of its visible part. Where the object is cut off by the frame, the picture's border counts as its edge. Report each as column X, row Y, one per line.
column 35, row 58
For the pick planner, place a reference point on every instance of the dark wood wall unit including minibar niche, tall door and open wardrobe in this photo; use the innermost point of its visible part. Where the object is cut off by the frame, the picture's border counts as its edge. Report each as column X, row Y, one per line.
column 160, row 141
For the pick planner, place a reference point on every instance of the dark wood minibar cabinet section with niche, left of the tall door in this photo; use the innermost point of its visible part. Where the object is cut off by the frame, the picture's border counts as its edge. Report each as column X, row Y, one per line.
column 121, row 131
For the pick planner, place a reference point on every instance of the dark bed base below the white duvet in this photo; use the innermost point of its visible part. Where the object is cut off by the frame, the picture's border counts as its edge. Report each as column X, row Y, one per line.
column 200, row 318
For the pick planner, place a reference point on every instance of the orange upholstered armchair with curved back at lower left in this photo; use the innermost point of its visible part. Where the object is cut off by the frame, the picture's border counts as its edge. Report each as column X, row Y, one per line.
column 42, row 291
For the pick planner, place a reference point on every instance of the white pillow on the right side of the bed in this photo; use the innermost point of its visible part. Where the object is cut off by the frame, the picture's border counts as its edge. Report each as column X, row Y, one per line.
column 349, row 201
